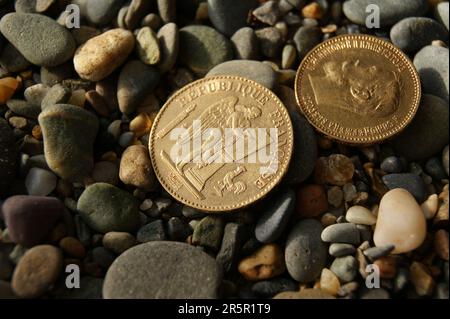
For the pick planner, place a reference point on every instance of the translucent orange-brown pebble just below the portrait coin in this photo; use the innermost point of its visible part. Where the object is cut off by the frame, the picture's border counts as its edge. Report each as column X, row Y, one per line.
column 336, row 169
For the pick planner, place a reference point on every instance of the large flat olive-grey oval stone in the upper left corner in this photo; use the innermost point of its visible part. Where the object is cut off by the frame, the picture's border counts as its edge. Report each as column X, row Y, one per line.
column 40, row 39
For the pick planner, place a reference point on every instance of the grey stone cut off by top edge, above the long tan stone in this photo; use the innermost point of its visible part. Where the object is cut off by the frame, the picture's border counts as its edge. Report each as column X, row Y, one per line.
column 102, row 12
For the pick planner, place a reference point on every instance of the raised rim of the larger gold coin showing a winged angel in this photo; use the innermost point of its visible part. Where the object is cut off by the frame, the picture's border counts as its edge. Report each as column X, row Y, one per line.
column 229, row 207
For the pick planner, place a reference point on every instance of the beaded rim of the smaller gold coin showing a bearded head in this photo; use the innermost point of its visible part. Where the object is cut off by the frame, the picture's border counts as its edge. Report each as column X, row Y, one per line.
column 373, row 138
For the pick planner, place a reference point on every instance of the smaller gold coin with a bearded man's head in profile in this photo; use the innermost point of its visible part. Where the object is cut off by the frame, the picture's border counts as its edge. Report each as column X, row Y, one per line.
column 357, row 89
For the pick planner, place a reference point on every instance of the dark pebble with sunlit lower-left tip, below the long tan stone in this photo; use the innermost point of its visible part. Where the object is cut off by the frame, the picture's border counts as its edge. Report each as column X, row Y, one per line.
column 136, row 80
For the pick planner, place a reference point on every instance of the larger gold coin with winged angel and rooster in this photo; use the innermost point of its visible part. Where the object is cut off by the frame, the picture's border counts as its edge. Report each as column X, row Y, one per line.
column 221, row 143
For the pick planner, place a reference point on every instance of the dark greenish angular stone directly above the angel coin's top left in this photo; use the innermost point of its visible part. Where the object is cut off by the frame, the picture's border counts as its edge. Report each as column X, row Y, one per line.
column 202, row 48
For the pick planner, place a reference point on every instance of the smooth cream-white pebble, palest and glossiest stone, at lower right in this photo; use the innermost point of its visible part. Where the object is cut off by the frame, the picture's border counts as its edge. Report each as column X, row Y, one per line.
column 400, row 222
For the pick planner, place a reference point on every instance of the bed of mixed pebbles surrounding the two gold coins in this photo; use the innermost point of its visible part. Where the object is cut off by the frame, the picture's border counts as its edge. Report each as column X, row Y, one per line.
column 77, row 184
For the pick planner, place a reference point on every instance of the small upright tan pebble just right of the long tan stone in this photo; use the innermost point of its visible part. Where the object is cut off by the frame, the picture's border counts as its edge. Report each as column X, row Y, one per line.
column 147, row 46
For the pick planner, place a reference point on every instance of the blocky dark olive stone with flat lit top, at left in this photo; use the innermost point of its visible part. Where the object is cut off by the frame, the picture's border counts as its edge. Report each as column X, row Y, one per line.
column 69, row 132
